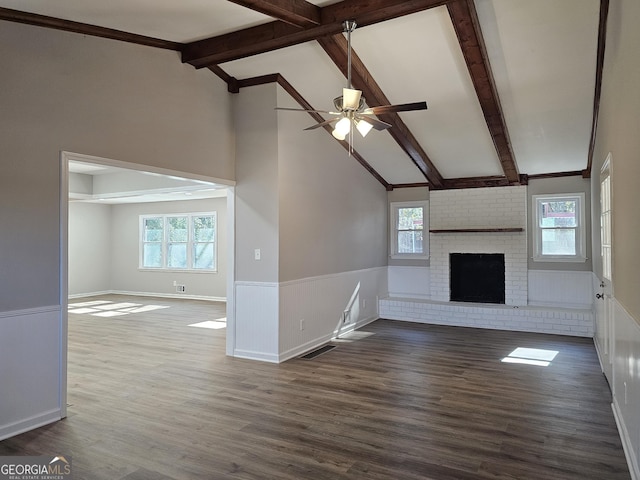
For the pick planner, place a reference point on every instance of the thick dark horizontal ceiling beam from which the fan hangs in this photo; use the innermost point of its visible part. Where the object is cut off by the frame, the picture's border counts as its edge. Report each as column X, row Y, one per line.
column 278, row 34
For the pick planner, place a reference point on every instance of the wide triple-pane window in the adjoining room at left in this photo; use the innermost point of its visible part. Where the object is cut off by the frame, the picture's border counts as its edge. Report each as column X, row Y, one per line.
column 178, row 242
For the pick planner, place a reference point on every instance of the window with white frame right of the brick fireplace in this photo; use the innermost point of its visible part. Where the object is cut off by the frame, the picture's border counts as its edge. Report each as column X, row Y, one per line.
column 559, row 228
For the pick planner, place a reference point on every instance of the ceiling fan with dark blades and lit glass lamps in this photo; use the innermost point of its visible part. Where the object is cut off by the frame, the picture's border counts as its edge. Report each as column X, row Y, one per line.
column 350, row 106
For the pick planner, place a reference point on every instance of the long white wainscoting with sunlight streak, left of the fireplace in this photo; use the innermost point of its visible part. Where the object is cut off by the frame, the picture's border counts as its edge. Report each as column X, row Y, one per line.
column 328, row 306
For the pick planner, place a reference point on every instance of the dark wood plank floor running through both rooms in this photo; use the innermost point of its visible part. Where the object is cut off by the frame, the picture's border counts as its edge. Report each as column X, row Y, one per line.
column 153, row 398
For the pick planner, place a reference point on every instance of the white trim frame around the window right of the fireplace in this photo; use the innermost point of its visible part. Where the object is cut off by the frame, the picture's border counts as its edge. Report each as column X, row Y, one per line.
column 581, row 232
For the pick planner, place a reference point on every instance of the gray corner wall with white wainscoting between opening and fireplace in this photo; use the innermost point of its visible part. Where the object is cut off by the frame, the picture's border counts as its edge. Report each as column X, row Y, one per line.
column 319, row 219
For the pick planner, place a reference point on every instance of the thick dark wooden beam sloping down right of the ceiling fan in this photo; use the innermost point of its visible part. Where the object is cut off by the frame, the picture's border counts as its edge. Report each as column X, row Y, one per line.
column 467, row 27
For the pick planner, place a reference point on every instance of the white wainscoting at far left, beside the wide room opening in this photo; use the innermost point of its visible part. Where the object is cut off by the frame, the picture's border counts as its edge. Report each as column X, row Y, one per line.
column 30, row 359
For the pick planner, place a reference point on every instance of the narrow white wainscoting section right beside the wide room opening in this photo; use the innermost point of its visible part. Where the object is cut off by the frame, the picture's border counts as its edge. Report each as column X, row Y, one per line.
column 256, row 321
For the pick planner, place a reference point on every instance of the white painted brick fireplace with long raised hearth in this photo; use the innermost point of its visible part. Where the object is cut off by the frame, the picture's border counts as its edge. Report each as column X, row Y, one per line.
column 482, row 220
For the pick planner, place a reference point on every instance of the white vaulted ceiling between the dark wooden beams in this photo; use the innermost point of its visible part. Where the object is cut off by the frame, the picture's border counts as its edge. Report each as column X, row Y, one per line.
column 542, row 55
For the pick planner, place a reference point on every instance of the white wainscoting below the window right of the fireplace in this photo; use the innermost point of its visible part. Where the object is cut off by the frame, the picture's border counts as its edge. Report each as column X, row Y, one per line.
column 559, row 288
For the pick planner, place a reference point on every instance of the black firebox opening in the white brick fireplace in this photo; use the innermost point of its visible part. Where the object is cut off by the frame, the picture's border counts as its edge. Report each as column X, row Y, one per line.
column 477, row 277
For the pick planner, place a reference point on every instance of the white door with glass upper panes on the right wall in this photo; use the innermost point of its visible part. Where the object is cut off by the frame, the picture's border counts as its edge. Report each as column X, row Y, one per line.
column 604, row 303
